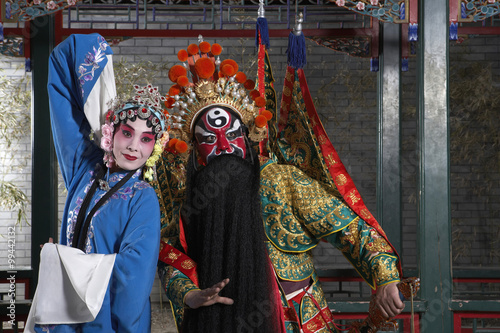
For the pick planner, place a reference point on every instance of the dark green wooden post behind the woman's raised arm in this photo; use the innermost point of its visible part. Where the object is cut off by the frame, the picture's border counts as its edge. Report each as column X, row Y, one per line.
column 44, row 176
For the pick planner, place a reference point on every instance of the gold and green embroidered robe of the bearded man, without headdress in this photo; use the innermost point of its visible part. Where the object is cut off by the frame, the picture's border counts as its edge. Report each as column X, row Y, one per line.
column 298, row 212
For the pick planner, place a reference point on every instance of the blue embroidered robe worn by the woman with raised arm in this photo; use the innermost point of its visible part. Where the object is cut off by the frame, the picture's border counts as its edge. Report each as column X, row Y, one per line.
column 127, row 224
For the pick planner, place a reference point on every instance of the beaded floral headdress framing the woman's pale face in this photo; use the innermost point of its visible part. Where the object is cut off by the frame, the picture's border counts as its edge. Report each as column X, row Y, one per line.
column 147, row 104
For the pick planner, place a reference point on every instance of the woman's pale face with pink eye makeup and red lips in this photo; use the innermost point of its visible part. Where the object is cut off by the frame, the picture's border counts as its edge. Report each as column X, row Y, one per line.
column 133, row 143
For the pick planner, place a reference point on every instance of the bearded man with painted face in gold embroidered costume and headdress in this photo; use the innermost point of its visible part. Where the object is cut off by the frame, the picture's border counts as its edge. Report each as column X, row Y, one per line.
column 240, row 260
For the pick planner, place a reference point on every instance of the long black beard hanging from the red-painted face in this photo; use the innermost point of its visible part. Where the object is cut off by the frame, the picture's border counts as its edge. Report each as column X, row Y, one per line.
column 225, row 237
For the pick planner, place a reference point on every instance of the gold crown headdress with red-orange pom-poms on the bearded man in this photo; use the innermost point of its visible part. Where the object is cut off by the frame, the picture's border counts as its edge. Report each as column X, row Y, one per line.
column 213, row 82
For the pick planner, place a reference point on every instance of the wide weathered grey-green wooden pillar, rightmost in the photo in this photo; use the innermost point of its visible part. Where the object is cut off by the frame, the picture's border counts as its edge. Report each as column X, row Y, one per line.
column 434, row 246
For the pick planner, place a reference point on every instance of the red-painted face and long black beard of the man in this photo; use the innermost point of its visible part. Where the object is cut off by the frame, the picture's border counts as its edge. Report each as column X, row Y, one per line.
column 224, row 232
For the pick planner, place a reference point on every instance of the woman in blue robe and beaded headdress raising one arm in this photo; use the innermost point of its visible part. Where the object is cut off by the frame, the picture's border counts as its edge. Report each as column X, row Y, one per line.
column 127, row 222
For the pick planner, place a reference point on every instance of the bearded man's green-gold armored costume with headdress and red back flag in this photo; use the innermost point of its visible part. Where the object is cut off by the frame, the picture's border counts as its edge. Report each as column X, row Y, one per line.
column 306, row 197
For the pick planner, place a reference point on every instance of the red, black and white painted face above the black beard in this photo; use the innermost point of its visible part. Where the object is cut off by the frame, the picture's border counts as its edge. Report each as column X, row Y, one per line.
column 219, row 131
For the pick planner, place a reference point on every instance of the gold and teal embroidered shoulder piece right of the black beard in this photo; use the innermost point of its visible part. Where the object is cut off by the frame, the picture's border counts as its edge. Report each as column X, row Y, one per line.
column 297, row 210
